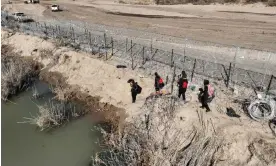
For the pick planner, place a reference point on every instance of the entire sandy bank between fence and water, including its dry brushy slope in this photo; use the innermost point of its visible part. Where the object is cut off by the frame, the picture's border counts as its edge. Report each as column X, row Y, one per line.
column 159, row 131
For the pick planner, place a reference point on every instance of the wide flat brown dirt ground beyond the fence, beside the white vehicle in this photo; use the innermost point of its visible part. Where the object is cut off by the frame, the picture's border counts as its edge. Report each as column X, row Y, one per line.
column 248, row 29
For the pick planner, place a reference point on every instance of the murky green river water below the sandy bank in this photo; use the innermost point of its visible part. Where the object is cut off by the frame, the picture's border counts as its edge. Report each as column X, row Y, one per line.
column 25, row 145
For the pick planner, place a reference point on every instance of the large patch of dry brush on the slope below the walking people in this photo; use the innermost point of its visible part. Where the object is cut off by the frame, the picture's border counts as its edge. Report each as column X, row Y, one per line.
column 157, row 140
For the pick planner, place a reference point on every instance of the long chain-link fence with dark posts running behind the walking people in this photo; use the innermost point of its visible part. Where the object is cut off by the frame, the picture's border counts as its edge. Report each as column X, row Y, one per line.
column 147, row 57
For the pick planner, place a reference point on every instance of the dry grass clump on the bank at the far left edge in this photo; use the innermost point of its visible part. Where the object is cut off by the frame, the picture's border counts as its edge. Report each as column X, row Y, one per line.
column 17, row 72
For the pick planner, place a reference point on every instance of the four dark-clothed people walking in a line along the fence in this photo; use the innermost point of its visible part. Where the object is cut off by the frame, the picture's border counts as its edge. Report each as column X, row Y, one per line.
column 206, row 94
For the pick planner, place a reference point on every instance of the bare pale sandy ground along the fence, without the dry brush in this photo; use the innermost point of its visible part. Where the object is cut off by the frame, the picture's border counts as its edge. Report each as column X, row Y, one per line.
column 245, row 142
